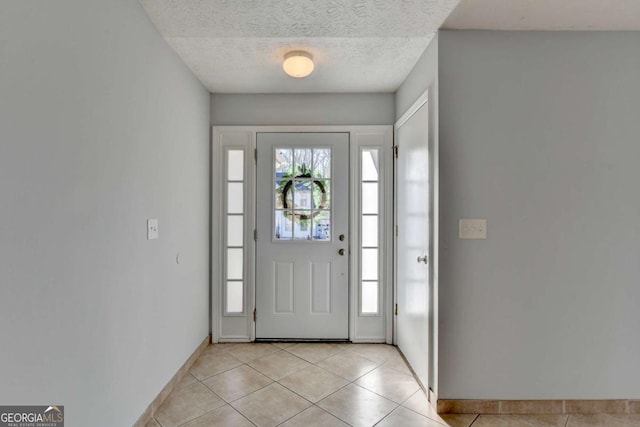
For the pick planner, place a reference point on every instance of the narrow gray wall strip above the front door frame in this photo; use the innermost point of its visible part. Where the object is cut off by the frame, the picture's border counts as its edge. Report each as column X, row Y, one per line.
column 302, row 109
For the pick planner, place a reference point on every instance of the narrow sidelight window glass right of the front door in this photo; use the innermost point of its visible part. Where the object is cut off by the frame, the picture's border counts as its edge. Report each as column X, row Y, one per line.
column 369, row 231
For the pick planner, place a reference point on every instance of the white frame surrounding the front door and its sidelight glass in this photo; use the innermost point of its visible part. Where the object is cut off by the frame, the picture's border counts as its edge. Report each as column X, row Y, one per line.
column 217, row 220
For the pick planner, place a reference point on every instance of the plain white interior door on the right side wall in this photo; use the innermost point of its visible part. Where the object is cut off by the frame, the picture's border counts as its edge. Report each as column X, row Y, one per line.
column 412, row 269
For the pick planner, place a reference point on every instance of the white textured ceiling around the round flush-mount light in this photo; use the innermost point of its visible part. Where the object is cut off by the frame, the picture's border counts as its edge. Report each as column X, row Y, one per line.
column 358, row 45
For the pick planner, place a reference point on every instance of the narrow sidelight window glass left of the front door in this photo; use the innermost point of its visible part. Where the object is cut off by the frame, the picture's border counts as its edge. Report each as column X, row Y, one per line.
column 234, row 232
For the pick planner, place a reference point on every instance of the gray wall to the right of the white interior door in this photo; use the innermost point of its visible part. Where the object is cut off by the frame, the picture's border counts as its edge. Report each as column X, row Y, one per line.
column 539, row 134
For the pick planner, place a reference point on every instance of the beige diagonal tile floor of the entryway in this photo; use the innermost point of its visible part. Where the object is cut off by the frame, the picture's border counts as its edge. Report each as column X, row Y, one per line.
column 320, row 384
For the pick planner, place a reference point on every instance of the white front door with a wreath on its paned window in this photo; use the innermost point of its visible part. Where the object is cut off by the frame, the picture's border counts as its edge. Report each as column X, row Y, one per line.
column 302, row 253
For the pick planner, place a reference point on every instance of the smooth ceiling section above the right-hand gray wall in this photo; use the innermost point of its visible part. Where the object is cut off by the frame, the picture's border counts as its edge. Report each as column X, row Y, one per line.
column 546, row 15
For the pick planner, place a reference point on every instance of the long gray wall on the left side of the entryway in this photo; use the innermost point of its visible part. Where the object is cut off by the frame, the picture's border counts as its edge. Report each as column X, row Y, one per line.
column 101, row 127
